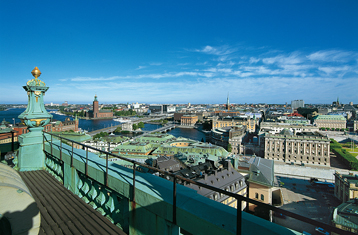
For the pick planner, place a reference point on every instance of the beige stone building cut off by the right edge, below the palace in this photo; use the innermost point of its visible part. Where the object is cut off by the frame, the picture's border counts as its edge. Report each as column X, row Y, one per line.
column 346, row 186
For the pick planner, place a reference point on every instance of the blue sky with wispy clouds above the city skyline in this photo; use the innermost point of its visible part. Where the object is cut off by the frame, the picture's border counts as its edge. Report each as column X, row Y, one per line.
column 181, row 51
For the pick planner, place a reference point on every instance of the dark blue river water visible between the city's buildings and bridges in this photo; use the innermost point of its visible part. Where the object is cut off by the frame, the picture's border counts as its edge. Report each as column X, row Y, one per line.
column 92, row 125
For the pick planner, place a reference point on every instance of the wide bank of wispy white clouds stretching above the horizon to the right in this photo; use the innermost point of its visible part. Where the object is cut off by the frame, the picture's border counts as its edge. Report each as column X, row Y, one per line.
column 269, row 77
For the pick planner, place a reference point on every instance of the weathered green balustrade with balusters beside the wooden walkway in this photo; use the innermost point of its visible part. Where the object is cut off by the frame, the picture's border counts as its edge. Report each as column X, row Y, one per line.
column 142, row 203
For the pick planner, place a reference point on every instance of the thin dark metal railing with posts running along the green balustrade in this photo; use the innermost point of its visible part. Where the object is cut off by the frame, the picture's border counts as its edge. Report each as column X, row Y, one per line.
column 238, row 197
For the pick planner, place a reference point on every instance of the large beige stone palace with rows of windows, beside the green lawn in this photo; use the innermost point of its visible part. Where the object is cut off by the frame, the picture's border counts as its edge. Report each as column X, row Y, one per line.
column 299, row 148
